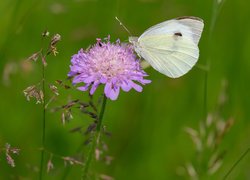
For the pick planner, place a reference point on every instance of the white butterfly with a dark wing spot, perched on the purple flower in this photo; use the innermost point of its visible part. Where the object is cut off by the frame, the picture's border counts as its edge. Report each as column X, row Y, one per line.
column 171, row 47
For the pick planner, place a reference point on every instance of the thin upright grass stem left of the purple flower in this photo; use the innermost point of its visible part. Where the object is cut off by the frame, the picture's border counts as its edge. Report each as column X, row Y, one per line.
column 43, row 123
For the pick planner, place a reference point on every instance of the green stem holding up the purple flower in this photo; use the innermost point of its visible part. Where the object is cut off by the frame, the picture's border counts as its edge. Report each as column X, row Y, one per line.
column 95, row 140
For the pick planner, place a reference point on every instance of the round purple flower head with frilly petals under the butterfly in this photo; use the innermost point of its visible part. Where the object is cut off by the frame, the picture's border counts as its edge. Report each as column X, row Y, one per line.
column 112, row 64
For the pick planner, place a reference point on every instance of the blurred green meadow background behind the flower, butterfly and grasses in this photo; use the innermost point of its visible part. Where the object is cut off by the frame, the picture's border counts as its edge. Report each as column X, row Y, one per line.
column 148, row 140
